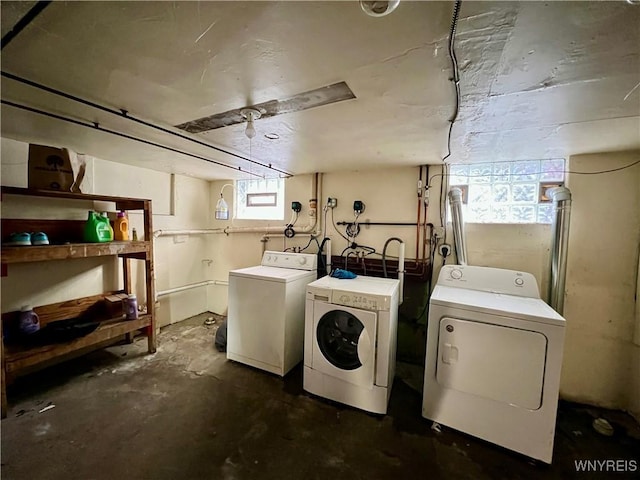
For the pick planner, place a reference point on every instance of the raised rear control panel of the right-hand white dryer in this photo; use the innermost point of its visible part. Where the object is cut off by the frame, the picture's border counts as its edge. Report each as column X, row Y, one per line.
column 487, row 279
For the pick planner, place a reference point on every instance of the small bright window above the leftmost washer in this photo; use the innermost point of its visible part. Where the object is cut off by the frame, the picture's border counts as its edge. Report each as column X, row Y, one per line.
column 260, row 199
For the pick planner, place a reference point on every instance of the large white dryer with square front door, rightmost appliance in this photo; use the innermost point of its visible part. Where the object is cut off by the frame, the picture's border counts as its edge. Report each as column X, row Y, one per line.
column 494, row 355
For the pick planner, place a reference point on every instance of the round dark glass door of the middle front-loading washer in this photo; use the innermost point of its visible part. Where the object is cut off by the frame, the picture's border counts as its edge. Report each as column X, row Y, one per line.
column 343, row 339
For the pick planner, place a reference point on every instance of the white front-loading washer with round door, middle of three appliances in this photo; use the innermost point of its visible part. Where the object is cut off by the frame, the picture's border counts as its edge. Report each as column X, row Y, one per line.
column 350, row 340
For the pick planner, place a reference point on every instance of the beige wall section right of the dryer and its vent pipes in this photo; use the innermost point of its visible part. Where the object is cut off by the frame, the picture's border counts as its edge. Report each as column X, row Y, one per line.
column 601, row 359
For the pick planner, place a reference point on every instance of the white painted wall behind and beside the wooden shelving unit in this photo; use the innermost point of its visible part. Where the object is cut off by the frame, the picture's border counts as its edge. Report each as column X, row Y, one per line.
column 176, row 264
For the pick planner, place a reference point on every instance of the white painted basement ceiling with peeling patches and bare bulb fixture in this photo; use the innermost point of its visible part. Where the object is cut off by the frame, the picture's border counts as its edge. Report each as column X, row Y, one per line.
column 537, row 80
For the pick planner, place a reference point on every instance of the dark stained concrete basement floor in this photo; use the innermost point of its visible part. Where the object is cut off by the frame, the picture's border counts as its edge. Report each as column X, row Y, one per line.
column 188, row 413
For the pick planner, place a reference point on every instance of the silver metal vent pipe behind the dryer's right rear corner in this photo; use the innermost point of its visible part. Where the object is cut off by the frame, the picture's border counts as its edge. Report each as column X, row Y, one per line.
column 561, row 197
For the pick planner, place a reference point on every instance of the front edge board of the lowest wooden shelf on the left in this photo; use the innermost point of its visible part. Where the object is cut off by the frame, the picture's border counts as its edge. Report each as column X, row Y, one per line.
column 18, row 358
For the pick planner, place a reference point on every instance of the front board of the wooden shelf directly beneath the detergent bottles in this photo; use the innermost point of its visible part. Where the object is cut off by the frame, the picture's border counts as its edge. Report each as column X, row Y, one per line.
column 71, row 250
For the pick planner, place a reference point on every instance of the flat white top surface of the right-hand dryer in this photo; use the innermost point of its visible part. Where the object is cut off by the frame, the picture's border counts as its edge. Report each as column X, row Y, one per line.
column 526, row 308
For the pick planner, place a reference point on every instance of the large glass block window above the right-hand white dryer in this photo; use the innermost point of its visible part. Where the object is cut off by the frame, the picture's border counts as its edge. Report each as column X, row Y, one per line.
column 507, row 192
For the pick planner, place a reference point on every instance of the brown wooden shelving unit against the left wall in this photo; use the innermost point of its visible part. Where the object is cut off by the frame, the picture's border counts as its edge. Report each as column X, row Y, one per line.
column 66, row 243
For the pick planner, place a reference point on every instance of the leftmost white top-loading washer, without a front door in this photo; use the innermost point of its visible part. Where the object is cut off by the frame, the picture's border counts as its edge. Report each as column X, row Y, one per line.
column 265, row 321
